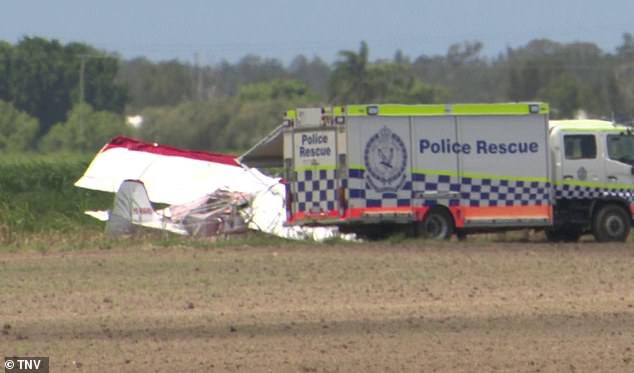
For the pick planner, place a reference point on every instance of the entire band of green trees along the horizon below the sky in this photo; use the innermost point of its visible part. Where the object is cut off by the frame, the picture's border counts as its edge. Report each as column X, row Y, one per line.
column 74, row 97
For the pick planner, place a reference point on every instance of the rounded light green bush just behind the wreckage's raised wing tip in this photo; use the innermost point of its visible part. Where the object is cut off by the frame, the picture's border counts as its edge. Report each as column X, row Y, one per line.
column 85, row 130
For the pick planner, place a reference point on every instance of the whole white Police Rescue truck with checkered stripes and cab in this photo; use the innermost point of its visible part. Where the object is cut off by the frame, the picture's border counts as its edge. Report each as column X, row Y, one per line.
column 459, row 168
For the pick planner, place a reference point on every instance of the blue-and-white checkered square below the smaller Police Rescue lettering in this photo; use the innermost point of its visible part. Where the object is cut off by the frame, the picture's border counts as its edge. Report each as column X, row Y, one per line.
column 316, row 190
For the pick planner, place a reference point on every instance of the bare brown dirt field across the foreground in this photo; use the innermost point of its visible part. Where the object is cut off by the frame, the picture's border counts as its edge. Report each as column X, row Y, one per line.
column 423, row 307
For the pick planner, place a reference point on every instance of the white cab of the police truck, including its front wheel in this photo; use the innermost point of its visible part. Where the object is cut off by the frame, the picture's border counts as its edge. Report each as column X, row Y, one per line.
column 593, row 175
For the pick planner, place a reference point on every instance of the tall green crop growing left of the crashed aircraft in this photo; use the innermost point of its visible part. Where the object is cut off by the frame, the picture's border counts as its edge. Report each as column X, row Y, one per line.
column 38, row 196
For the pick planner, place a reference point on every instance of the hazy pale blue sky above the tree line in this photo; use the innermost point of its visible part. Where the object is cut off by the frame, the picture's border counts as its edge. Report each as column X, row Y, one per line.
column 209, row 32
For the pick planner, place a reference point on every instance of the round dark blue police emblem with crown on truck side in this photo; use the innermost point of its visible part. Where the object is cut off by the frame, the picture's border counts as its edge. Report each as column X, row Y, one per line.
column 385, row 161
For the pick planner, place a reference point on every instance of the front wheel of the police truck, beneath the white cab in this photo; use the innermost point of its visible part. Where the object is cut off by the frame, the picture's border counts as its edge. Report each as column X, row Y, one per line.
column 611, row 223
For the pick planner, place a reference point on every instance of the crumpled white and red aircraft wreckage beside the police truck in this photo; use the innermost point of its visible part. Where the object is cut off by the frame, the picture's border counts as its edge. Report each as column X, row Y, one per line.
column 208, row 194
